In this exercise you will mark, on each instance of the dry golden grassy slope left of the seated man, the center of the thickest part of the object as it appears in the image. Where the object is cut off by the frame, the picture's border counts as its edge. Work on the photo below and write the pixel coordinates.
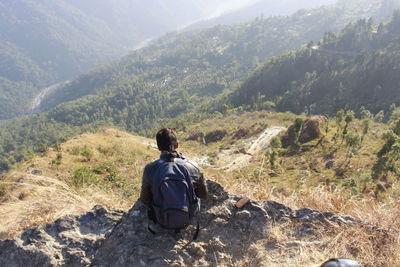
(36, 199)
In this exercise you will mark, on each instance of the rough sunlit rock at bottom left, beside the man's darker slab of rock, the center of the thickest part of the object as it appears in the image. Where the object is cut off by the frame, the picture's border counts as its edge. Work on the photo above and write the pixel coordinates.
(71, 240)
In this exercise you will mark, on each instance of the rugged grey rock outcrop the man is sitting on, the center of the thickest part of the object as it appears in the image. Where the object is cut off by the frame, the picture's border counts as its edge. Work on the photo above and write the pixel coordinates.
(111, 238)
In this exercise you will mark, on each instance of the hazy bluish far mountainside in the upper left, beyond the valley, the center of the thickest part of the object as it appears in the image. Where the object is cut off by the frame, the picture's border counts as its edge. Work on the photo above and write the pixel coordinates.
(48, 41)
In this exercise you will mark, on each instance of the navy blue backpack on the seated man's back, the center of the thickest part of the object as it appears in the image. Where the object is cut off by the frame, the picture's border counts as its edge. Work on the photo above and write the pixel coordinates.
(174, 200)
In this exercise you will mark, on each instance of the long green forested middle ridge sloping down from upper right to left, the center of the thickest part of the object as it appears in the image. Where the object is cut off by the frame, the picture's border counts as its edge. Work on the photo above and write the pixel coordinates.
(180, 73)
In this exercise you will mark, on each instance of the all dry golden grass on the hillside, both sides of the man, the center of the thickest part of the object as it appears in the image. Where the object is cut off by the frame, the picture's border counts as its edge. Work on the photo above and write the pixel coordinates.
(105, 168)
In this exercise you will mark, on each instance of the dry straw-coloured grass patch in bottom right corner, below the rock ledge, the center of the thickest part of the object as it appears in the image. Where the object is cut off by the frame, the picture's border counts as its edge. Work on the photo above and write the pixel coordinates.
(283, 248)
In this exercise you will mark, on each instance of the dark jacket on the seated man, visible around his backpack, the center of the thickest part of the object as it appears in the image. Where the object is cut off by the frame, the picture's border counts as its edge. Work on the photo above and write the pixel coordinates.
(150, 170)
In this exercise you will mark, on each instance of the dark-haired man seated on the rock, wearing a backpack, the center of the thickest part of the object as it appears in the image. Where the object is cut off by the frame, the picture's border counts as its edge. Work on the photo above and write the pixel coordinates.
(171, 185)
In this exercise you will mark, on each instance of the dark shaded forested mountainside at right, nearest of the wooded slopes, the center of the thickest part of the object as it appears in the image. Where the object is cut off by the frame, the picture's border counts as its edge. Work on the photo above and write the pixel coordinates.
(360, 67)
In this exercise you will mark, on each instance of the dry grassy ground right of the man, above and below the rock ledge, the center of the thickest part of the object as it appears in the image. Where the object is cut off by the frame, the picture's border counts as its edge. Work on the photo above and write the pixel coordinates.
(302, 180)
